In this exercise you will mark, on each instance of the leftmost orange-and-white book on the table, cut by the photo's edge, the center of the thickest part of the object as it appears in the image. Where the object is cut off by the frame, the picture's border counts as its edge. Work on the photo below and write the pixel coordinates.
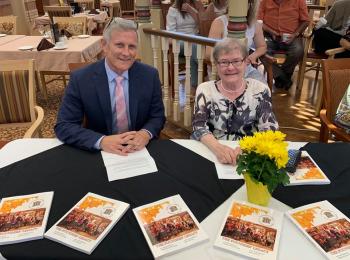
(24, 218)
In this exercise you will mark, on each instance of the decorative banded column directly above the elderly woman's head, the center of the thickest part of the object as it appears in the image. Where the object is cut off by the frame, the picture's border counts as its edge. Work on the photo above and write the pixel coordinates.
(237, 24)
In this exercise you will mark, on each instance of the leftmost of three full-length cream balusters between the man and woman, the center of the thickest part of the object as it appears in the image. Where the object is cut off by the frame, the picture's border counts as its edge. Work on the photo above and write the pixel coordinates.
(166, 94)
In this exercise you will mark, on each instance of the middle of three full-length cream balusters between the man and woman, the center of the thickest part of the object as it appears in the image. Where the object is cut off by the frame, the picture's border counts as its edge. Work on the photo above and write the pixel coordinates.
(176, 105)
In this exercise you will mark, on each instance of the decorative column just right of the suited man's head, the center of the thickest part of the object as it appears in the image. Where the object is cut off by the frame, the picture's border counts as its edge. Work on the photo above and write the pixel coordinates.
(143, 18)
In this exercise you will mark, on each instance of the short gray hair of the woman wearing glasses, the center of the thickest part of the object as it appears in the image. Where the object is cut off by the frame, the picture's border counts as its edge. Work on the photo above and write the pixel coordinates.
(228, 45)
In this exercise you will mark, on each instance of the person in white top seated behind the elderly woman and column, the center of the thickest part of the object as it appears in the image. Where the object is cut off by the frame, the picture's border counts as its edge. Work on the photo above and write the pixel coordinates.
(254, 36)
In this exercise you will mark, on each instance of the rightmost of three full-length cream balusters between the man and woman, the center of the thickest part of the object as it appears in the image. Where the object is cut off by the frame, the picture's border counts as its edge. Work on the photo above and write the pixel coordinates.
(187, 110)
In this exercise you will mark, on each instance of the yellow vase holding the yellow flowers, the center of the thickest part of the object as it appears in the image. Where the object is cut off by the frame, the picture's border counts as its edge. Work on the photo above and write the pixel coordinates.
(257, 193)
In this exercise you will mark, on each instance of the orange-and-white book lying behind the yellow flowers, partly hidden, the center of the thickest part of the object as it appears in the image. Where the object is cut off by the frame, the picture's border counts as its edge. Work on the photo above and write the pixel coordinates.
(307, 172)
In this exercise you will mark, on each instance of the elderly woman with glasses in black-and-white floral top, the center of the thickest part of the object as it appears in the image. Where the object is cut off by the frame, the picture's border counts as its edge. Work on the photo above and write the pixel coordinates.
(231, 107)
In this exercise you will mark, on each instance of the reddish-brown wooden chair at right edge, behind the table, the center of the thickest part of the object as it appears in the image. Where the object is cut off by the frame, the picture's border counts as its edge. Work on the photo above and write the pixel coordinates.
(336, 79)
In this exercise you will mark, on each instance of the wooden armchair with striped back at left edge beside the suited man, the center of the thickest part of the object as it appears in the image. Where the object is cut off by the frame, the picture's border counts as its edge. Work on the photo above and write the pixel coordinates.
(17, 101)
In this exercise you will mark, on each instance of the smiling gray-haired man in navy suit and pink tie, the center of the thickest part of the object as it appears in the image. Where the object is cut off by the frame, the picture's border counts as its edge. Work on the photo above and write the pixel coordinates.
(91, 95)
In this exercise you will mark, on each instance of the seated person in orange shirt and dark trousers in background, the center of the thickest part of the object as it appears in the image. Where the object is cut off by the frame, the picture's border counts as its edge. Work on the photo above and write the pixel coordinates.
(284, 22)
